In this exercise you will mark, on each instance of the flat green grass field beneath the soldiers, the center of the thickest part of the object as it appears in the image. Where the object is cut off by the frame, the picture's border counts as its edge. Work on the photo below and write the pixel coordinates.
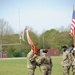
(19, 67)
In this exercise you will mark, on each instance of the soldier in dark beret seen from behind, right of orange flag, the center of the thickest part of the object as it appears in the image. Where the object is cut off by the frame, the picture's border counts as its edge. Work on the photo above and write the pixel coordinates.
(45, 63)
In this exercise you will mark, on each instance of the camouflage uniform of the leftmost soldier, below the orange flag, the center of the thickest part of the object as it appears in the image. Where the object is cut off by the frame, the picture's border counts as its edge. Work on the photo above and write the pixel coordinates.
(31, 64)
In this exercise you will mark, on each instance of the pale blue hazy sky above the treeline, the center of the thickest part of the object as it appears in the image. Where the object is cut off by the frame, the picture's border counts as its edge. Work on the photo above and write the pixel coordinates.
(40, 15)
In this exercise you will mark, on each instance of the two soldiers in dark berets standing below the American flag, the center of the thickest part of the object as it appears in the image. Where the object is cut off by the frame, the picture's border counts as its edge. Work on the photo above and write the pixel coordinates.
(68, 60)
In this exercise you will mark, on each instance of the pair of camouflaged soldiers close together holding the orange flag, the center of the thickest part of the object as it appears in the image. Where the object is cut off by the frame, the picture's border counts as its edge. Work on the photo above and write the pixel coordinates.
(44, 62)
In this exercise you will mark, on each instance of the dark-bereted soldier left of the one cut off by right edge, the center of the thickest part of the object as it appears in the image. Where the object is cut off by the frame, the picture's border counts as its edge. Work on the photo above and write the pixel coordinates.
(65, 61)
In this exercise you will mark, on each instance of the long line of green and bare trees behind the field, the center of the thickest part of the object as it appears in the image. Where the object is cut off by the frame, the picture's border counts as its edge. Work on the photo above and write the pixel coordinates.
(49, 39)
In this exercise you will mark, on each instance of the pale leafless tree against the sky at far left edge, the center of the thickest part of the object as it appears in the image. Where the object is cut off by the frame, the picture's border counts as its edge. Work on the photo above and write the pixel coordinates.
(5, 31)
